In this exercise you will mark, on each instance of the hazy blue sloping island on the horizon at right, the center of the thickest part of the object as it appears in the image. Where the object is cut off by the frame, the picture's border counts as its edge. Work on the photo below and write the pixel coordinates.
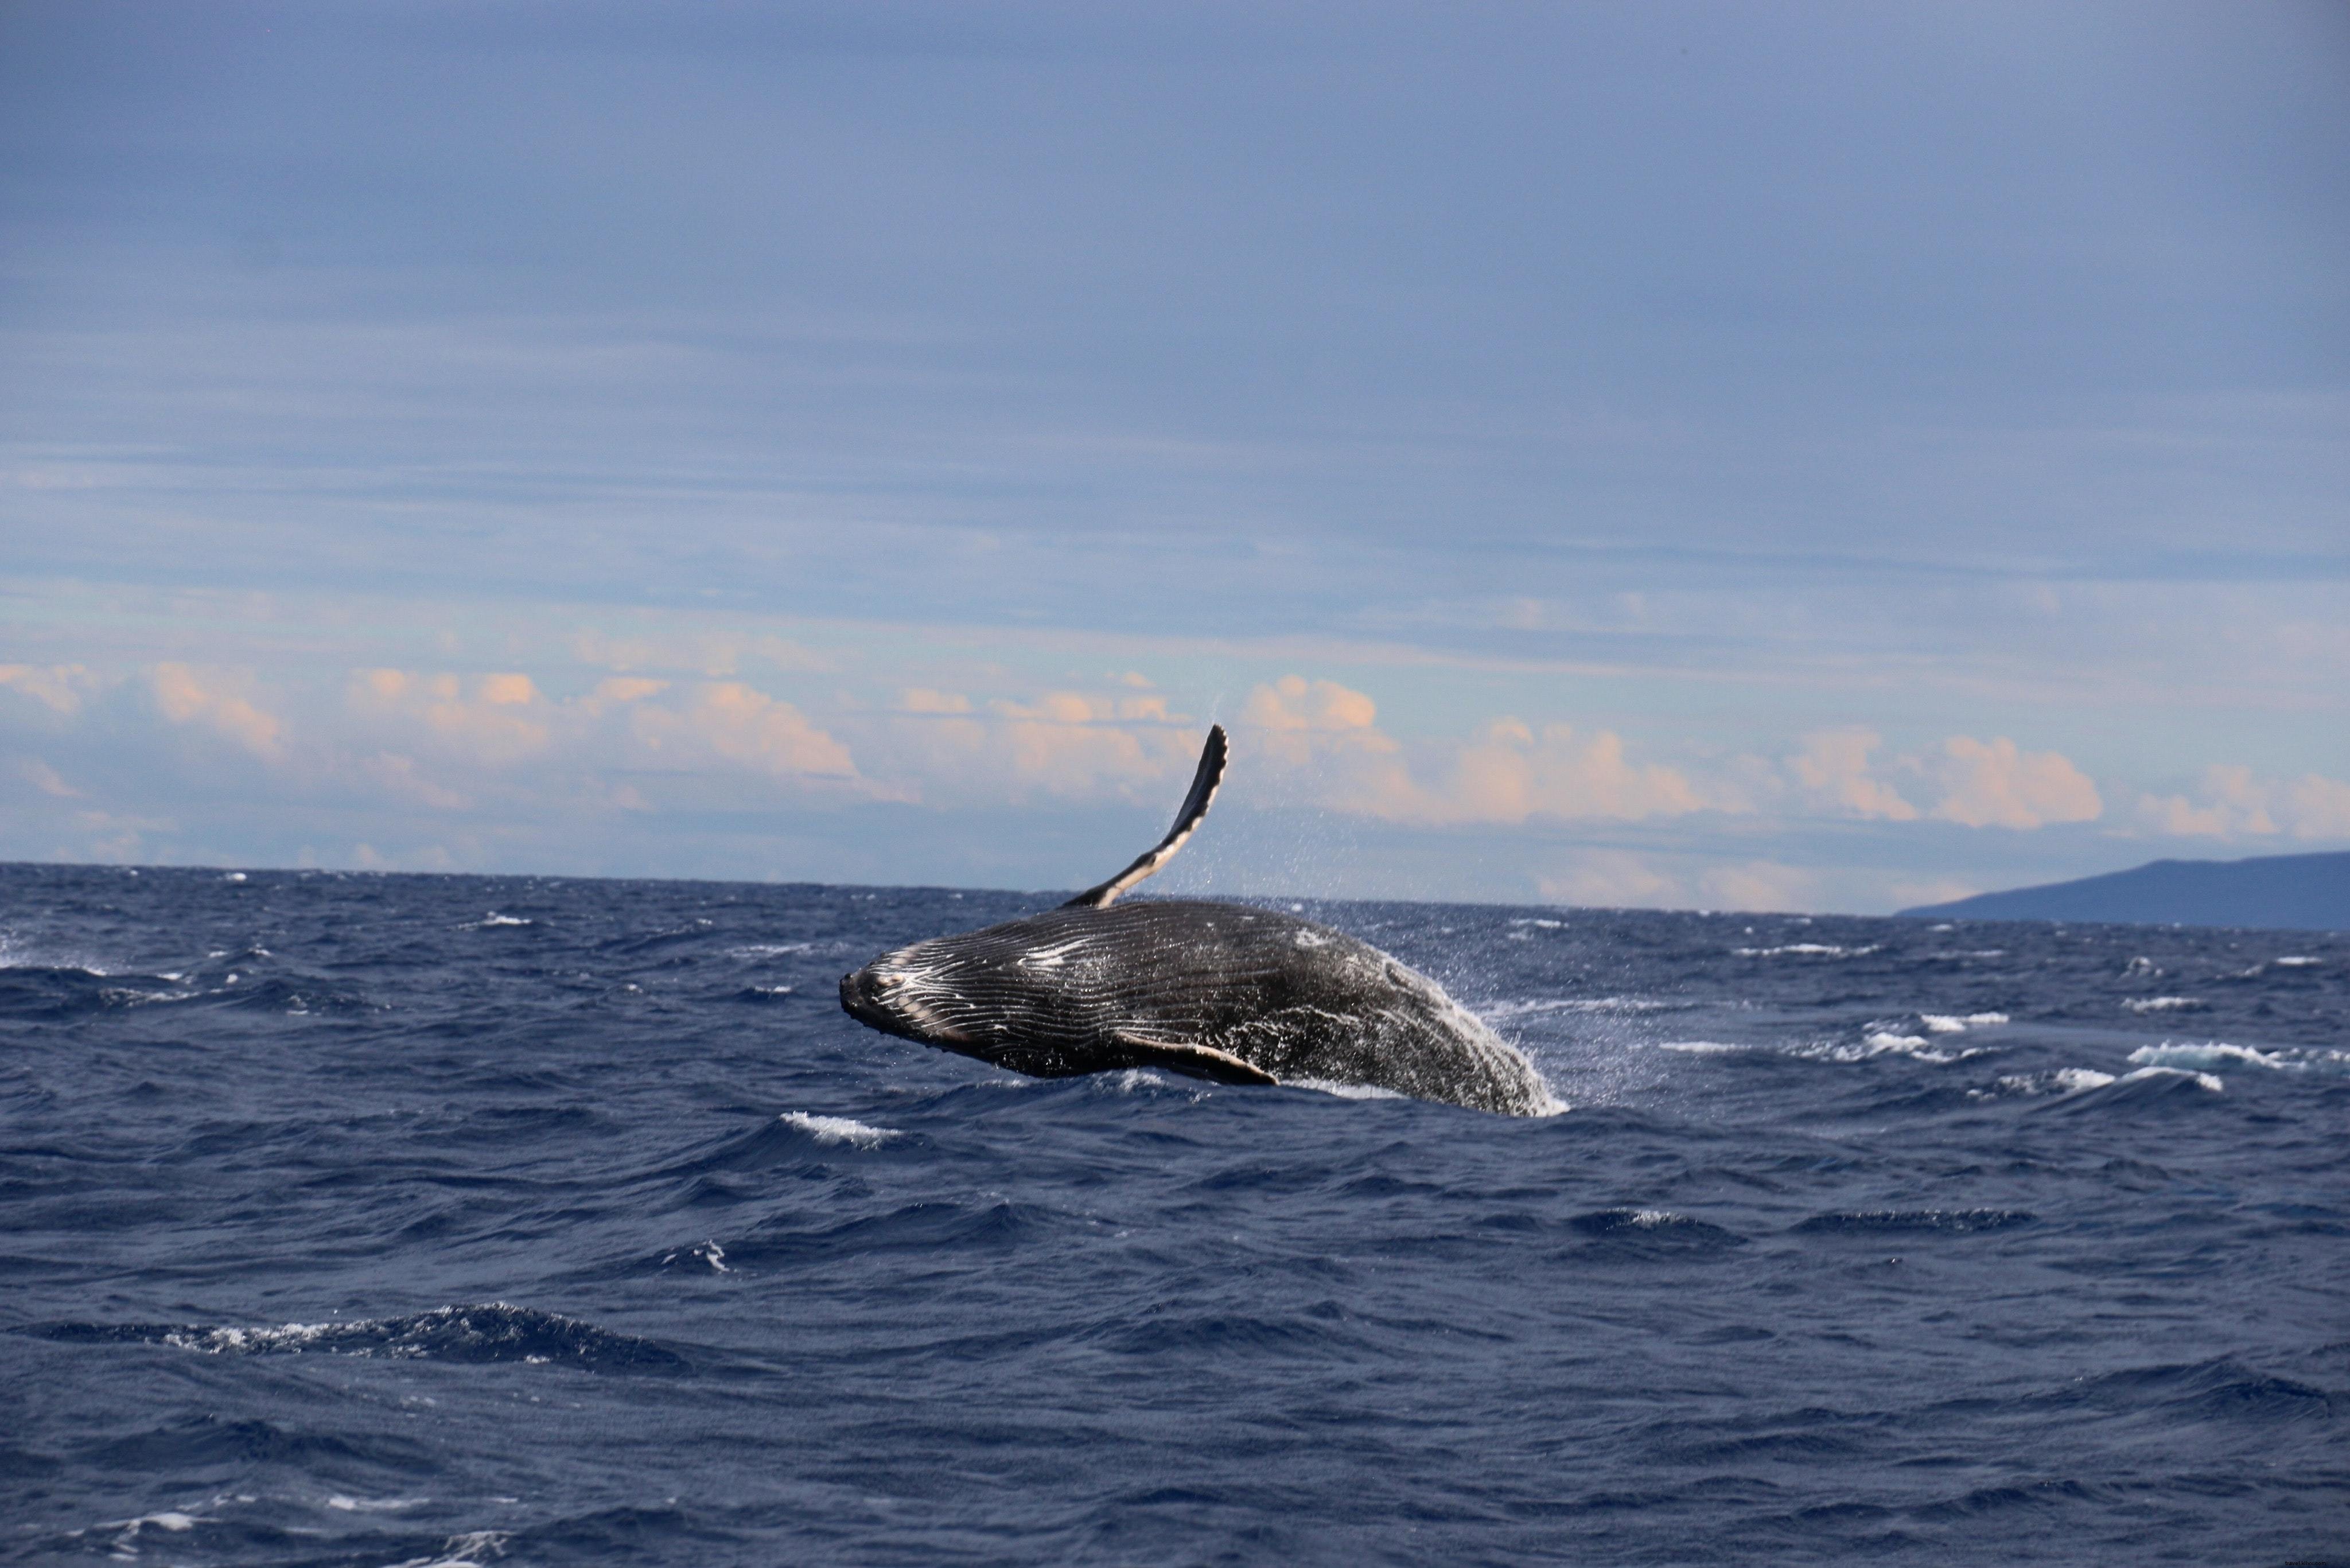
(2281, 892)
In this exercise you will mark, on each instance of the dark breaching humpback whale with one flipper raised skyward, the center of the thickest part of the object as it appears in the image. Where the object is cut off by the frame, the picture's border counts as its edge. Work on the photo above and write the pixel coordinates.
(1216, 991)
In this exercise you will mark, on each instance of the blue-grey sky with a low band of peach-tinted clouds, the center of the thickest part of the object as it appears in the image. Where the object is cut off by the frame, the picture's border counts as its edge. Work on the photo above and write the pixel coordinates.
(1806, 457)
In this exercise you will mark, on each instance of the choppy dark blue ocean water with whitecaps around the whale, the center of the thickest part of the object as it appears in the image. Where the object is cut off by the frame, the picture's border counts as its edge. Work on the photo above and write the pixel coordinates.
(464, 1221)
